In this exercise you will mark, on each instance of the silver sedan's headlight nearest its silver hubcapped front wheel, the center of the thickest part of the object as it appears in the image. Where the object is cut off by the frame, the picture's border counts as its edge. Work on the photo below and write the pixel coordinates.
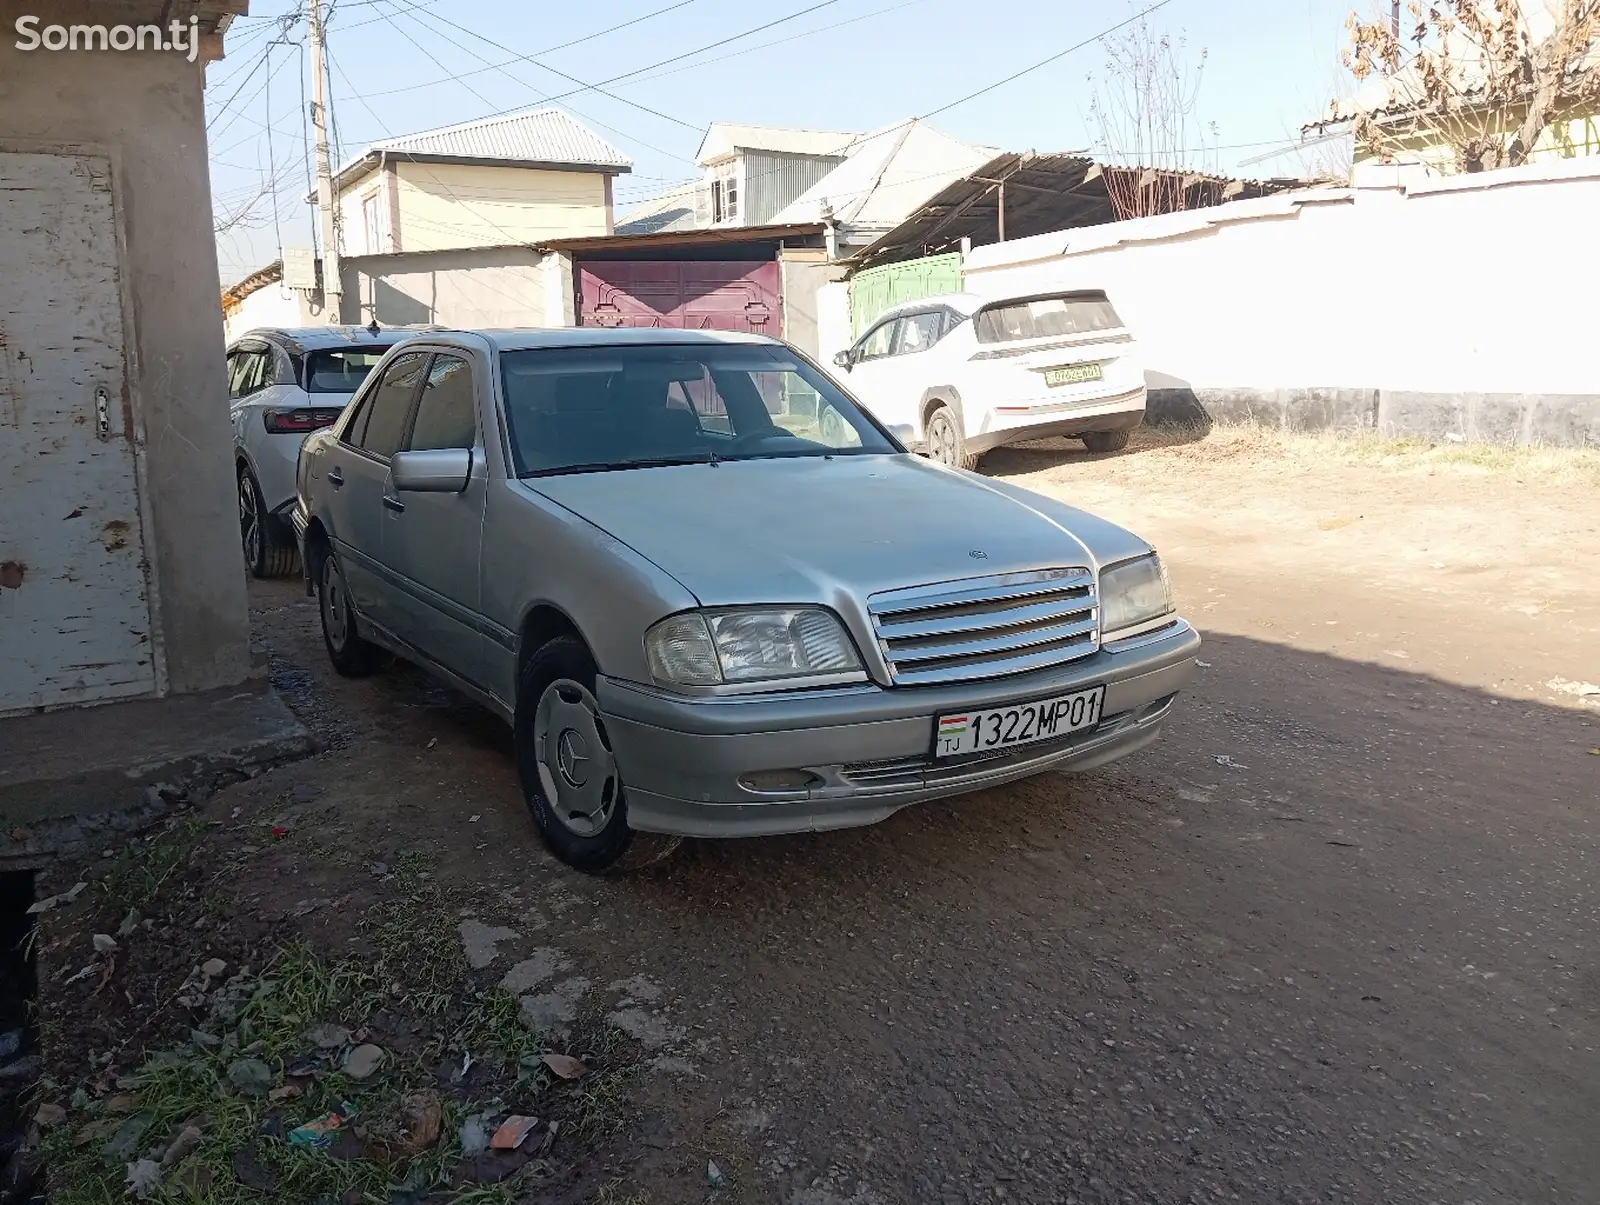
(714, 649)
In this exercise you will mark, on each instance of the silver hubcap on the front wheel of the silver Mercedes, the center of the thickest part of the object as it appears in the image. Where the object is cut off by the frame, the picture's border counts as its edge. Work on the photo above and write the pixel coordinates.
(577, 767)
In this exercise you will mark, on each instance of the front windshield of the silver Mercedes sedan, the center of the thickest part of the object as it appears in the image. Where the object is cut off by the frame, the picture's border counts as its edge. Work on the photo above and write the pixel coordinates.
(594, 409)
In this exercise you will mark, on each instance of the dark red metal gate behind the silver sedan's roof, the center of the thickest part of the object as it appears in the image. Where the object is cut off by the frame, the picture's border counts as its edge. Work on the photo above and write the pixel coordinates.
(698, 297)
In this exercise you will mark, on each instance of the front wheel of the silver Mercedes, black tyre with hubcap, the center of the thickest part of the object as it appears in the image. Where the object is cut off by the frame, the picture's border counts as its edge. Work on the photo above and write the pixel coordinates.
(569, 771)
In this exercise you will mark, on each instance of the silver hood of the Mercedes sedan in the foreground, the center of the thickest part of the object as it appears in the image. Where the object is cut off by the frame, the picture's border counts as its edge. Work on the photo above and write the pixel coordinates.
(831, 530)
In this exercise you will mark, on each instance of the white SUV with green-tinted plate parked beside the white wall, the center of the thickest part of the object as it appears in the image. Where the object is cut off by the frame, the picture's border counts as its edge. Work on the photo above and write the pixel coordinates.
(958, 375)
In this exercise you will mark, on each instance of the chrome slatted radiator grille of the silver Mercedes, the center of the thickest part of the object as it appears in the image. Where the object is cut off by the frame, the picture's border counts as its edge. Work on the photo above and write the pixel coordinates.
(983, 628)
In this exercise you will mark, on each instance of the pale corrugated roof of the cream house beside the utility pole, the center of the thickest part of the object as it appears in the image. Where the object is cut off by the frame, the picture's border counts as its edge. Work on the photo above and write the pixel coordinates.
(545, 137)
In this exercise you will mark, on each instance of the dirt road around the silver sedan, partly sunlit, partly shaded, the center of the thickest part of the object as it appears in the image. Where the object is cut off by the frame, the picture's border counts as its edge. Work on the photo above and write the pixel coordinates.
(1330, 940)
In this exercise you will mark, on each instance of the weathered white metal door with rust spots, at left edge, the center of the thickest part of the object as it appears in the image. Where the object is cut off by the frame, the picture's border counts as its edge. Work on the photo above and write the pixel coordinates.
(74, 601)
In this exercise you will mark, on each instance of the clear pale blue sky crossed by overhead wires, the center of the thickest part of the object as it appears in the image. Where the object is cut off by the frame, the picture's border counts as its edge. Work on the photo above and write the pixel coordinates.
(1271, 65)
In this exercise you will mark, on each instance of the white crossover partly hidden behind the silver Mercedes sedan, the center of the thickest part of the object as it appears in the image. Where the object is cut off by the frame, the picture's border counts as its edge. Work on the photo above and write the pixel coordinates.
(282, 385)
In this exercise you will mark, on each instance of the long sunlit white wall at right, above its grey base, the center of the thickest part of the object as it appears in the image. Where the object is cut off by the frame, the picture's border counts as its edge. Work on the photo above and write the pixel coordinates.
(1450, 289)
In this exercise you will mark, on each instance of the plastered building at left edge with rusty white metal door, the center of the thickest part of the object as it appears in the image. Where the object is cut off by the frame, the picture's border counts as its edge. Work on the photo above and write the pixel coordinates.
(121, 572)
